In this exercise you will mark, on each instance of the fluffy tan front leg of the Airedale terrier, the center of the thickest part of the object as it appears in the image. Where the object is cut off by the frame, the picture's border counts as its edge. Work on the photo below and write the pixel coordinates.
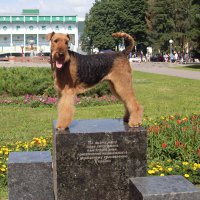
(65, 110)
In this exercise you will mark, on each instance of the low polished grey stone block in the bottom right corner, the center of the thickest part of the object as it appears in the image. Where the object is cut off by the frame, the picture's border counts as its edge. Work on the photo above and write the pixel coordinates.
(171, 187)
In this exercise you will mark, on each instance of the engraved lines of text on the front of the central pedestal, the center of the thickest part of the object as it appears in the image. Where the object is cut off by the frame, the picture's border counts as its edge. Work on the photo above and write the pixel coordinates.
(102, 152)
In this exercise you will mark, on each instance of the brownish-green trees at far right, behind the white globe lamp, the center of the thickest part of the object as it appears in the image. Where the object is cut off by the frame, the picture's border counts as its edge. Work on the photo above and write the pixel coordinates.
(173, 19)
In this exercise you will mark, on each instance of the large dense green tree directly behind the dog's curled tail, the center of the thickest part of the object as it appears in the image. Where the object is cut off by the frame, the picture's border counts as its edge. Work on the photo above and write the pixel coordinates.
(109, 16)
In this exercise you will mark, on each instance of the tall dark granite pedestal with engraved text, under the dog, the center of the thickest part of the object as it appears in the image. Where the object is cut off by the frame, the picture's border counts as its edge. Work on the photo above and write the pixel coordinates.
(94, 159)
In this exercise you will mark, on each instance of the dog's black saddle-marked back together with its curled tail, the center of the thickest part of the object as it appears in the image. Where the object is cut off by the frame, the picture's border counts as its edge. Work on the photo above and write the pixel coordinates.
(93, 68)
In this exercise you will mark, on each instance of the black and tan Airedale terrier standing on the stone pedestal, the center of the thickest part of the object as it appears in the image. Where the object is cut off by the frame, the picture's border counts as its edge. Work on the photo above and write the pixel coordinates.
(75, 73)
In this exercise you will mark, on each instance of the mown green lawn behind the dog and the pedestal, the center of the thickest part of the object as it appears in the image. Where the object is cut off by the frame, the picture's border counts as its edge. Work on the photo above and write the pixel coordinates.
(159, 94)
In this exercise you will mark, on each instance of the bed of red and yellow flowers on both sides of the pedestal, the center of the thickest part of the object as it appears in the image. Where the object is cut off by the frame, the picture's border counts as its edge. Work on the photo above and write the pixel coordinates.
(173, 147)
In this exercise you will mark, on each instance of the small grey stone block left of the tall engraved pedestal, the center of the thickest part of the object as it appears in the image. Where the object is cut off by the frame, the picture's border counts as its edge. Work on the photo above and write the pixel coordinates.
(30, 176)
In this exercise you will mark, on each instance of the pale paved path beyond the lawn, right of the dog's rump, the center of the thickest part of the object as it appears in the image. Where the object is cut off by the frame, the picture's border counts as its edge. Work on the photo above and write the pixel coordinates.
(166, 69)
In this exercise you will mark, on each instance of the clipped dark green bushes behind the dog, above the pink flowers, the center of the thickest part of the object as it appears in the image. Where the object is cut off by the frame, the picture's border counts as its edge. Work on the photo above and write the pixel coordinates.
(17, 81)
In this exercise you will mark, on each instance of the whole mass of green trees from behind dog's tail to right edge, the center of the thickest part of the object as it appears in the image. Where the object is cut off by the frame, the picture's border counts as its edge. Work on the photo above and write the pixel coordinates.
(150, 22)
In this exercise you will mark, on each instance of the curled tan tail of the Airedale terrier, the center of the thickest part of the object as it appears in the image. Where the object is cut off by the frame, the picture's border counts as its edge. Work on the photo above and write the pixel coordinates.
(130, 40)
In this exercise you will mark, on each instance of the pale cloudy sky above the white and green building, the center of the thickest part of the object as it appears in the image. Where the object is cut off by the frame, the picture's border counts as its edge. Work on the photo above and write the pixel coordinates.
(47, 7)
